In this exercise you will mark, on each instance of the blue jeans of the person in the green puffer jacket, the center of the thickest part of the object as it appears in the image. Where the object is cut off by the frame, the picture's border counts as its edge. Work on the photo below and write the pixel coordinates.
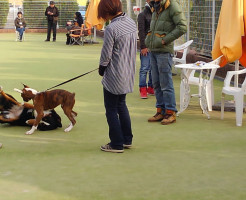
(161, 69)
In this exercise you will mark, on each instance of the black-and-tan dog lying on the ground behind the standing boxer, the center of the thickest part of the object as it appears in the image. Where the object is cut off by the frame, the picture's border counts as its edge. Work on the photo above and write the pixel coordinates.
(14, 113)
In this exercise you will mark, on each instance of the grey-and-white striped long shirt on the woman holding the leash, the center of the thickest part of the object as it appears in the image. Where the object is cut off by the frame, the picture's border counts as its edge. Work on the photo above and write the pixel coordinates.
(119, 55)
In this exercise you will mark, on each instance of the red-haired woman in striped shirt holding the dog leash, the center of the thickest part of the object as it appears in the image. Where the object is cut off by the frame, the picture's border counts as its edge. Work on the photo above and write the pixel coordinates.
(117, 66)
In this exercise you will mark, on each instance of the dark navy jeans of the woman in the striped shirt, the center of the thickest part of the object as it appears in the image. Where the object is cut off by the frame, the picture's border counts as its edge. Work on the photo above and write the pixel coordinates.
(118, 118)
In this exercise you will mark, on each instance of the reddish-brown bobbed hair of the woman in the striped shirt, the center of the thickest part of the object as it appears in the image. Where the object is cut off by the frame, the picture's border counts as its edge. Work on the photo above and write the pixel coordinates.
(108, 8)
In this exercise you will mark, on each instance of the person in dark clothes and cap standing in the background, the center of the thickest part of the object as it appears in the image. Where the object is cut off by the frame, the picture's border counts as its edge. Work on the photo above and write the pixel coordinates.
(52, 14)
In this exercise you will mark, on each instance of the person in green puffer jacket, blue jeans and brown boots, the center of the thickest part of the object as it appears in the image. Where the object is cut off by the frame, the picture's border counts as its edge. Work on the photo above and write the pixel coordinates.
(167, 24)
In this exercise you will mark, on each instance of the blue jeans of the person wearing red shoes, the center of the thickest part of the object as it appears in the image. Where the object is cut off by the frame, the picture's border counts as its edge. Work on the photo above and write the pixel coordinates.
(144, 70)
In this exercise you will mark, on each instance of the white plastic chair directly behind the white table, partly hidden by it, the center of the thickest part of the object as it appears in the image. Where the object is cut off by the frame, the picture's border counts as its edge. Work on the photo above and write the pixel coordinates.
(209, 83)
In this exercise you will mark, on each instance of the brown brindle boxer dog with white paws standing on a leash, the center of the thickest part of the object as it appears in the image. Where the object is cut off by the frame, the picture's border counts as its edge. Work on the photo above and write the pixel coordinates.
(49, 100)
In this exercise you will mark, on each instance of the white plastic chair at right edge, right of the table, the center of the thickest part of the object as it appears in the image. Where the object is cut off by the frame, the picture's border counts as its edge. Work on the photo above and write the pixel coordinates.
(238, 94)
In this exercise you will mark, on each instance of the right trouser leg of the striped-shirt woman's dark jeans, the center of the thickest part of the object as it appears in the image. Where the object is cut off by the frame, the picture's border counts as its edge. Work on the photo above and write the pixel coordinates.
(125, 120)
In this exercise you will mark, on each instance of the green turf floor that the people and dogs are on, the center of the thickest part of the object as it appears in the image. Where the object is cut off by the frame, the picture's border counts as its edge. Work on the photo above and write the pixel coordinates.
(193, 159)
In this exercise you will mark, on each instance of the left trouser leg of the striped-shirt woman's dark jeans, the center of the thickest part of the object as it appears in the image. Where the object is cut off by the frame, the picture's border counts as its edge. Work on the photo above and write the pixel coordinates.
(115, 132)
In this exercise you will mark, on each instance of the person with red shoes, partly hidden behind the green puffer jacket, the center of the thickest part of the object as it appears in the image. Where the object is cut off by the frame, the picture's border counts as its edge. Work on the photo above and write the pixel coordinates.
(144, 19)
